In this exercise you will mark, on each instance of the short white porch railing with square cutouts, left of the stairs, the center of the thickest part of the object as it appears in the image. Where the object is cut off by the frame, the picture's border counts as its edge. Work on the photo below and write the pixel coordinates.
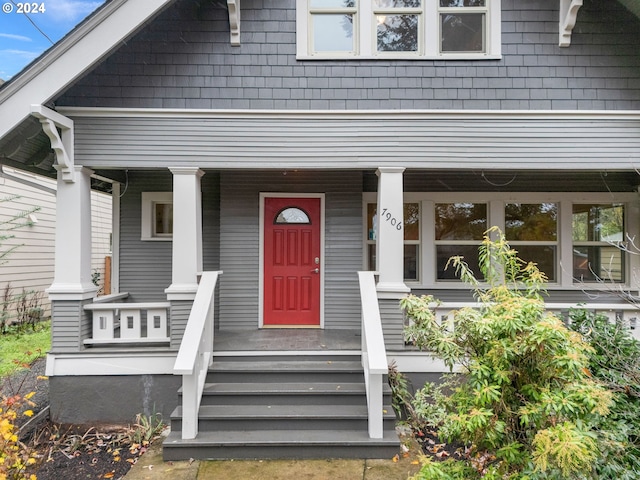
(127, 323)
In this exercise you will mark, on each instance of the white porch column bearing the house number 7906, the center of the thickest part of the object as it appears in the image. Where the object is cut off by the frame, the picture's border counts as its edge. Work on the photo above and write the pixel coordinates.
(390, 234)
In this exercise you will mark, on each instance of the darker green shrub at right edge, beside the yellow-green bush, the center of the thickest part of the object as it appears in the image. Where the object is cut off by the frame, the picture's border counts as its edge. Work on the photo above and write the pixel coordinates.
(615, 361)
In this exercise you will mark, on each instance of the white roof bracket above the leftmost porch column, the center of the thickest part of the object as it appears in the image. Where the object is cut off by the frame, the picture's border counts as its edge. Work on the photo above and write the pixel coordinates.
(61, 142)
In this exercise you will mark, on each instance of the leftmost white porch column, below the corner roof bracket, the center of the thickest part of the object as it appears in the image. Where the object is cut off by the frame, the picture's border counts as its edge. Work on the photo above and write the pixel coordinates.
(72, 276)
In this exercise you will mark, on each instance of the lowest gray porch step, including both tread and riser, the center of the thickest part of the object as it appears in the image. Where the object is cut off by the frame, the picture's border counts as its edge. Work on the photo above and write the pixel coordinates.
(282, 444)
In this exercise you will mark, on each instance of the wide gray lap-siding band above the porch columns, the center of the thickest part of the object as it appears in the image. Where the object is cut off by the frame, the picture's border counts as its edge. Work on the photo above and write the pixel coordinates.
(414, 140)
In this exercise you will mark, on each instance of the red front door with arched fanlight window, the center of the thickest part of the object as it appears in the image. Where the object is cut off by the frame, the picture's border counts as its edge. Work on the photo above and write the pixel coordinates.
(292, 262)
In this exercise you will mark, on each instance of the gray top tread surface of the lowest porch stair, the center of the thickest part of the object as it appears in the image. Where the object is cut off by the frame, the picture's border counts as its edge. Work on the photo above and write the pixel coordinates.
(284, 437)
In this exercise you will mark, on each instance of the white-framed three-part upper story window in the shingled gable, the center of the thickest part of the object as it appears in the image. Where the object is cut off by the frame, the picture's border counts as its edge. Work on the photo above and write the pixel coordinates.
(451, 29)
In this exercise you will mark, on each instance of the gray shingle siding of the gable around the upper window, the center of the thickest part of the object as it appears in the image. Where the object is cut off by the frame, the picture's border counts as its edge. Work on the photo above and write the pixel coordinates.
(184, 60)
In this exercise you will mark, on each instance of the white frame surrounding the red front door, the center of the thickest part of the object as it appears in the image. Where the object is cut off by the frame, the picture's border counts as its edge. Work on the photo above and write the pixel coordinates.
(264, 195)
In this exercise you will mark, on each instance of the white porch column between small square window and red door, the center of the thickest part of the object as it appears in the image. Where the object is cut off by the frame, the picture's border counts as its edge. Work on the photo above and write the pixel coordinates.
(187, 233)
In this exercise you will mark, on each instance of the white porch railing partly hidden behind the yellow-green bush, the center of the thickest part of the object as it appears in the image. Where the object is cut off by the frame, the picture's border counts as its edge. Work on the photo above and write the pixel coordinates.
(623, 313)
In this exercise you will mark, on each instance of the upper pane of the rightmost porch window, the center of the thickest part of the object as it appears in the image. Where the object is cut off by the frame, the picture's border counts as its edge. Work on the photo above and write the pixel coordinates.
(598, 223)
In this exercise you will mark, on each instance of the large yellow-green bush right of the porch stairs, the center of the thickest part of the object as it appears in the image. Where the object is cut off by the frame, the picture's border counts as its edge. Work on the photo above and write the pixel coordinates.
(526, 405)
